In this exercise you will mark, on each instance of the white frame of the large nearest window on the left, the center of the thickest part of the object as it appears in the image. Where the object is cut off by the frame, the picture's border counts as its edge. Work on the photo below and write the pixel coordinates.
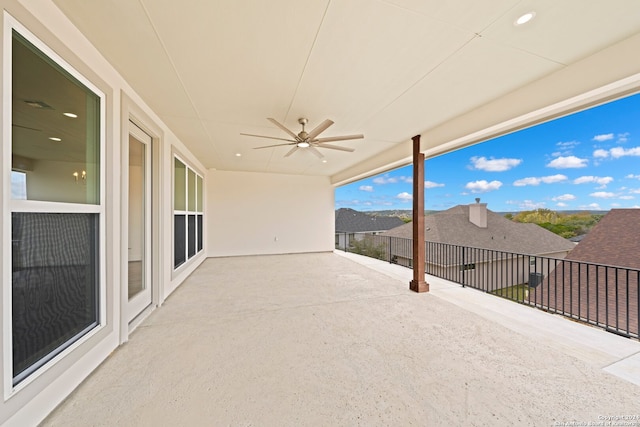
(36, 206)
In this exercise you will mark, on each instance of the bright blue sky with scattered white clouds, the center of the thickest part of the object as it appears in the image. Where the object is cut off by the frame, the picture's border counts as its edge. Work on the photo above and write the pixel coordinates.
(586, 161)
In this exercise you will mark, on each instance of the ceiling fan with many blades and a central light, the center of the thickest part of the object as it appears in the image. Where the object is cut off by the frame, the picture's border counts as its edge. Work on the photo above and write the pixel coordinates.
(306, 140)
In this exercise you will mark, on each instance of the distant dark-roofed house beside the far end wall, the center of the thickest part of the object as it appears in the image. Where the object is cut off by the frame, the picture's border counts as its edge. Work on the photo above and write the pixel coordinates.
(352, 225)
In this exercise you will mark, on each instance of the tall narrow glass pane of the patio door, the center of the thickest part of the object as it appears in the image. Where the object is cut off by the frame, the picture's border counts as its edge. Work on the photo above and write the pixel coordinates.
(137, 198)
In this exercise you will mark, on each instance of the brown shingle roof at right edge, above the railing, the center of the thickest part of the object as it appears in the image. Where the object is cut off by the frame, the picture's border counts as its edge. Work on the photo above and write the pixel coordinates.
(615, 240)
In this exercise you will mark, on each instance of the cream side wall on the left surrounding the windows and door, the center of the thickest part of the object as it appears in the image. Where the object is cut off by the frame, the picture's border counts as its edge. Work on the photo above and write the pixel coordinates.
(31, 400)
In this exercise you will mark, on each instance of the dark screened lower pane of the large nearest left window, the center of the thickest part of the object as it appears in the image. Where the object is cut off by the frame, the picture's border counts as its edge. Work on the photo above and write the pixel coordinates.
(54, 284)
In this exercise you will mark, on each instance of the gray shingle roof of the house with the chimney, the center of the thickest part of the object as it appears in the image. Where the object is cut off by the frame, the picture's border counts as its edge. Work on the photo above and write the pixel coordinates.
(453, 227)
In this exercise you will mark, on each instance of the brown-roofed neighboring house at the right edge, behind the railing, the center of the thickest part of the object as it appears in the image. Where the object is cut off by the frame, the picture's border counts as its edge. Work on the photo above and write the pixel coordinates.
(599, 279)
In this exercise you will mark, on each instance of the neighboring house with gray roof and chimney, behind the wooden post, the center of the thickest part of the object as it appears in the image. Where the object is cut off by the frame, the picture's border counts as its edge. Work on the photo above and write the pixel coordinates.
(470, 243)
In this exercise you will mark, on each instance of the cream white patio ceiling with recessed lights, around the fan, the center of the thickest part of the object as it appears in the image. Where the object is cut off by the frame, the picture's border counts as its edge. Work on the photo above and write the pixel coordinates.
(388, 69)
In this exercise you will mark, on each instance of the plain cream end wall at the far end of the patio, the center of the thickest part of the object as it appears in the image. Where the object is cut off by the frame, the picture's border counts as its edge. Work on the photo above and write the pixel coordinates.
(261, 213)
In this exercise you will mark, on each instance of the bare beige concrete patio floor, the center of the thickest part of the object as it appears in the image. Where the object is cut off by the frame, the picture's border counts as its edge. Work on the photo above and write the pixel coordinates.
(338, 340)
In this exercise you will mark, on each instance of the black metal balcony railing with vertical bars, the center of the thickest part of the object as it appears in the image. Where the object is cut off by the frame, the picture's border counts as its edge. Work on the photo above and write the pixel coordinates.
(602, 295)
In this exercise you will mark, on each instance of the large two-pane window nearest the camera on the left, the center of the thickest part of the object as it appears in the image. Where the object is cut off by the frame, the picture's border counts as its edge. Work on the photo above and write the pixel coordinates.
(56, 206)
